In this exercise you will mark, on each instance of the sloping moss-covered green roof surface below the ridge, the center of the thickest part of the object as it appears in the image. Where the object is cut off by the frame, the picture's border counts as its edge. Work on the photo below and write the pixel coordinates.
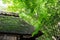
(14, 25)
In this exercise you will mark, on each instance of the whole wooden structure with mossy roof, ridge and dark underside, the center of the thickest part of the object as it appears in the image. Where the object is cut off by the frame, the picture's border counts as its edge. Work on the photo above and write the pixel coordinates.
(14, 27)
